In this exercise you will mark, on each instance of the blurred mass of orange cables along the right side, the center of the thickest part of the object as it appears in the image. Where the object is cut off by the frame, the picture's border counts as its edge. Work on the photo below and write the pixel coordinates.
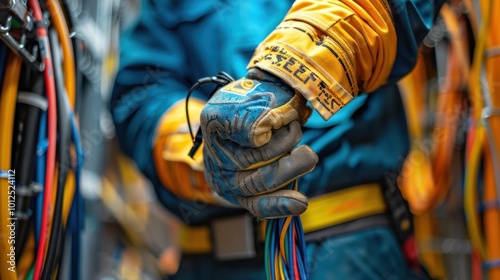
(459, 142)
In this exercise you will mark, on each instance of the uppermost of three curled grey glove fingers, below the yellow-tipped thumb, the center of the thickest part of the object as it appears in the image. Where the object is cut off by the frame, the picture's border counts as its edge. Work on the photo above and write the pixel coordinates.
(240, 158)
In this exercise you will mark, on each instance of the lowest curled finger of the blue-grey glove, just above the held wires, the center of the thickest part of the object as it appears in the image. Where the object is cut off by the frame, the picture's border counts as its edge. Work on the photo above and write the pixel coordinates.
(277, 204)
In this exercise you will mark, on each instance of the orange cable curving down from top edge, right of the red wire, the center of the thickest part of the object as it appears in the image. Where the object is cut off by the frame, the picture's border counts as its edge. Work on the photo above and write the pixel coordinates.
(67, 47)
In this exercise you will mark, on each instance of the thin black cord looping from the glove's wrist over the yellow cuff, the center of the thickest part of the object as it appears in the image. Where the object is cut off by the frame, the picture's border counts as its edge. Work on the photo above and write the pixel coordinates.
(219, 80)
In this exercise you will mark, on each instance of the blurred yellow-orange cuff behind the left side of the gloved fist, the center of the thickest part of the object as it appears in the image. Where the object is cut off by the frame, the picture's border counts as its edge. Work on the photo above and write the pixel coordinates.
(179, 173)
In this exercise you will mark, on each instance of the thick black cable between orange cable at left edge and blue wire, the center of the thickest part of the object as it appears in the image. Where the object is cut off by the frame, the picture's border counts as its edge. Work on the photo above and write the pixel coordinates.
(26, 130)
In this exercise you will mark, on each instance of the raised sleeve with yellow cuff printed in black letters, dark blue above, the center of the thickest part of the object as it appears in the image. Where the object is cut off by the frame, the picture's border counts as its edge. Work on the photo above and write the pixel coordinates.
(330, 51)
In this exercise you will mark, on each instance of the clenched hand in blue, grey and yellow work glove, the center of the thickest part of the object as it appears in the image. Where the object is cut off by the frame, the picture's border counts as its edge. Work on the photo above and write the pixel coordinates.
(250, 128)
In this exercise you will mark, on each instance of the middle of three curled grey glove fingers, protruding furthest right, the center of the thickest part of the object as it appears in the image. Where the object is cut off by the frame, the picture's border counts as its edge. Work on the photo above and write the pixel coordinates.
(298, 162)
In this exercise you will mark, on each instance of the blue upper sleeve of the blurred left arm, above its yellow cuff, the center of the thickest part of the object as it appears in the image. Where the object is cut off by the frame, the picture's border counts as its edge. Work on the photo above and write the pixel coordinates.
(147, 84)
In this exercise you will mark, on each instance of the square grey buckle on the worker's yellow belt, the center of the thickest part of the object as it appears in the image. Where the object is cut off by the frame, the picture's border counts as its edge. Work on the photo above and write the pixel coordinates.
(234, 238)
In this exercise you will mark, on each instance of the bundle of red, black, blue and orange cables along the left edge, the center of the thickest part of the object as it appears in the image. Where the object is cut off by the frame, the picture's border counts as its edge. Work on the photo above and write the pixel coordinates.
(40, 140)
